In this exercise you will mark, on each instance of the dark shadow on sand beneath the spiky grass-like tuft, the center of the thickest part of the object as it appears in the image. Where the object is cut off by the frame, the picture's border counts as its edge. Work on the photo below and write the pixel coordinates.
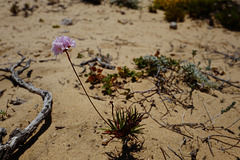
(127, 151)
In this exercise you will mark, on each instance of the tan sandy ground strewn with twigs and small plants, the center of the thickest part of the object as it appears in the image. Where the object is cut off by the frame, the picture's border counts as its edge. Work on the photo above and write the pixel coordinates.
(124, 34)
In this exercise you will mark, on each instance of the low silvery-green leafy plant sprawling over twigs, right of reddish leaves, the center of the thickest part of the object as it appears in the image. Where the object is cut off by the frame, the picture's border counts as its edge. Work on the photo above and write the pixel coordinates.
(191, 74)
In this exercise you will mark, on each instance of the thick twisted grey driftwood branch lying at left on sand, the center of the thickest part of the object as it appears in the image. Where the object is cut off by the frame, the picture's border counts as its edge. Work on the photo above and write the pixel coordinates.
(20, 136)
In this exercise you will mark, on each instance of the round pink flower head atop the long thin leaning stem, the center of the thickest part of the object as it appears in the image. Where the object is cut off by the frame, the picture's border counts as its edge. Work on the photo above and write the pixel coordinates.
(62, 44)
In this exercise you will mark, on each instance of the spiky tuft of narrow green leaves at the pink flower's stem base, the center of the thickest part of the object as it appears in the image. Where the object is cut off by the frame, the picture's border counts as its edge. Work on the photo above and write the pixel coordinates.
(125, 124)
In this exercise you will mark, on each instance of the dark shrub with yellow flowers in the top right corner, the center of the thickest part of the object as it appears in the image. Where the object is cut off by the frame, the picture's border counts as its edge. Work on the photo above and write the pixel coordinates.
(227, 12)
